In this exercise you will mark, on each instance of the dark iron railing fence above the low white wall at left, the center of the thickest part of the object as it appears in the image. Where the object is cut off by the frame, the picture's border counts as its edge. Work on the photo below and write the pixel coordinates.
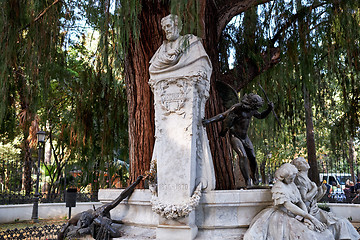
(52, 190)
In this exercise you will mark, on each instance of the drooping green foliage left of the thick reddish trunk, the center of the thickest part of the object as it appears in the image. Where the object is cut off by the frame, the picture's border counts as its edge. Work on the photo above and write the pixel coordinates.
(49, 79)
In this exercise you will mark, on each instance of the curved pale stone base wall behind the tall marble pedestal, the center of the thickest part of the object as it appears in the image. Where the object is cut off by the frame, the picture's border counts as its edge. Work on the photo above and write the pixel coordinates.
(221, 214)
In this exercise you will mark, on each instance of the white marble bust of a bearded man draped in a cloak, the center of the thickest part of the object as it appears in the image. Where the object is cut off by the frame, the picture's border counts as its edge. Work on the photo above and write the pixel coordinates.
(178, 55)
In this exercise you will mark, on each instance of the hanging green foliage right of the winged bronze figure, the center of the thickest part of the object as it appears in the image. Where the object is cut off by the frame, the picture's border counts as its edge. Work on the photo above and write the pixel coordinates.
(312, 53)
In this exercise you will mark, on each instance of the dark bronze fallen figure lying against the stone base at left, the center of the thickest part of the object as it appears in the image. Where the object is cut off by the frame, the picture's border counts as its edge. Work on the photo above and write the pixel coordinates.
(96, 222)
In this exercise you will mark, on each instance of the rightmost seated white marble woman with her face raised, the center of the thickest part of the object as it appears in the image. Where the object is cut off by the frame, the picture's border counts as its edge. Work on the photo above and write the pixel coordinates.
(341, 228)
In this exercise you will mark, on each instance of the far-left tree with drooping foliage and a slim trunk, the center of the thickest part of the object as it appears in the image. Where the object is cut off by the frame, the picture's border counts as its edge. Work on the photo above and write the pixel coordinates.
(28, 41)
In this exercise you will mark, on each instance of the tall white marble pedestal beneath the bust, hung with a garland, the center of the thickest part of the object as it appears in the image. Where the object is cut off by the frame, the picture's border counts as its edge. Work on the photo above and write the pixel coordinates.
(181, 152)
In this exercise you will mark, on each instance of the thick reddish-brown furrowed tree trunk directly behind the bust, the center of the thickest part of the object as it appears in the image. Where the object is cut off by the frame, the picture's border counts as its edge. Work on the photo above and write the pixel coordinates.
(214, 15)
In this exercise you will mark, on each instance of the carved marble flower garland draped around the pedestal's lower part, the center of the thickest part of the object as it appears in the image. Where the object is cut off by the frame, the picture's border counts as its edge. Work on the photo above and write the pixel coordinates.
(172, 211)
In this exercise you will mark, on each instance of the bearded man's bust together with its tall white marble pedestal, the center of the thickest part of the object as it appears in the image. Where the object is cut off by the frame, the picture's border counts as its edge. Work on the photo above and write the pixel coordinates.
(180, 73)
